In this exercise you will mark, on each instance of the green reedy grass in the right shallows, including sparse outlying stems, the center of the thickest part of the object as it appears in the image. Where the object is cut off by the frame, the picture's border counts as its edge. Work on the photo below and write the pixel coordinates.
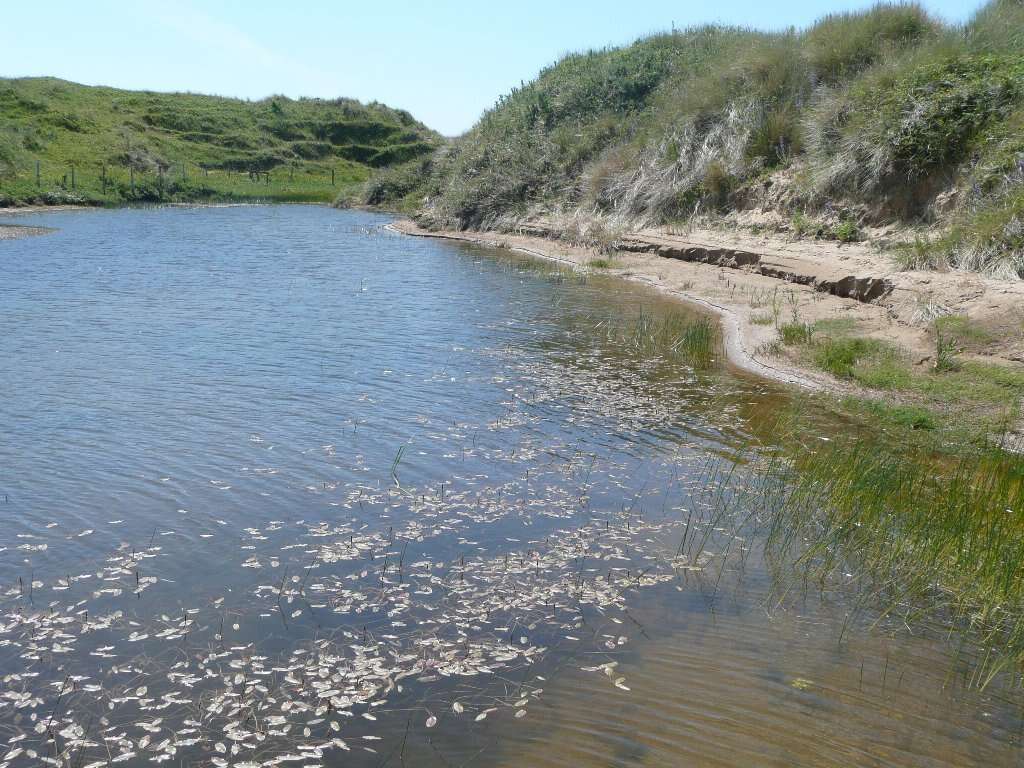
(903, 537)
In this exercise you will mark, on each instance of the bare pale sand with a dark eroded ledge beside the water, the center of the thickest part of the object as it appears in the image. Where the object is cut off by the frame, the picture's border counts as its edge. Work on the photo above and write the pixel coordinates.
(749, 281)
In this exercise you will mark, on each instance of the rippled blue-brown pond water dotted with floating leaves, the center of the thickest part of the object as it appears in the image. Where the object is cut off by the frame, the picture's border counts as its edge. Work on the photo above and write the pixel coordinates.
(267, 472)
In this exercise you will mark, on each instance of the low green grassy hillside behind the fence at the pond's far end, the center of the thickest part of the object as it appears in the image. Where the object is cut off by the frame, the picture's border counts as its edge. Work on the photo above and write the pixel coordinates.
(92, 143)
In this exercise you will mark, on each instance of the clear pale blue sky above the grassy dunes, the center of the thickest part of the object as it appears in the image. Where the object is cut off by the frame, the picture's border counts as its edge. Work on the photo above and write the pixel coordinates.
(445, 61)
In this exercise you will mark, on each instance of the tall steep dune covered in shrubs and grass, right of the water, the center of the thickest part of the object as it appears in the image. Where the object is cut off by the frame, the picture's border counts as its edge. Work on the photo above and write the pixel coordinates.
(882, 116)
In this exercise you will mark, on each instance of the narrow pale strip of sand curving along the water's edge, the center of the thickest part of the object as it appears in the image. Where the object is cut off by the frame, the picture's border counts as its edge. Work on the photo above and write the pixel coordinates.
(740, 337)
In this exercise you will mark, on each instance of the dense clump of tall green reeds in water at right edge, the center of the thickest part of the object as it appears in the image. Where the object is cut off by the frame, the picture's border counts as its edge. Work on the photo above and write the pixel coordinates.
(917, 540)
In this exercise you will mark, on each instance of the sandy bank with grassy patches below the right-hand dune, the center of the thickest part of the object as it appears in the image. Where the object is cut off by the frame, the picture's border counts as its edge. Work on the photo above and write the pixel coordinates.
(763, 286)
